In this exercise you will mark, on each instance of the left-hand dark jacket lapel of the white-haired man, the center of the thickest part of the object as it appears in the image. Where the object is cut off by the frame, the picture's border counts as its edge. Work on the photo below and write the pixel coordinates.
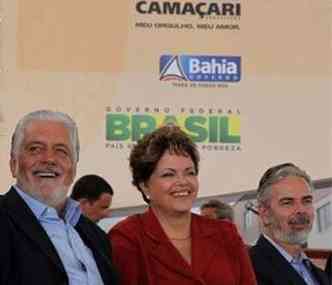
(23, 217)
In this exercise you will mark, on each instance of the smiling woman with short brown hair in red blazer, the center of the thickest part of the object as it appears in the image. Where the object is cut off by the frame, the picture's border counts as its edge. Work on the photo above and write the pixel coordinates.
(168, 244)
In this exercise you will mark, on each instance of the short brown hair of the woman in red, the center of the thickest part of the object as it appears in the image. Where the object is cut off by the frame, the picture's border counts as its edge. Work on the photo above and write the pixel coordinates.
(146, 154)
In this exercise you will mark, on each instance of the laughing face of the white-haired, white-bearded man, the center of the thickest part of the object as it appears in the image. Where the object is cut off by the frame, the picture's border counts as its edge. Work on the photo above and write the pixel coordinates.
(44, 166)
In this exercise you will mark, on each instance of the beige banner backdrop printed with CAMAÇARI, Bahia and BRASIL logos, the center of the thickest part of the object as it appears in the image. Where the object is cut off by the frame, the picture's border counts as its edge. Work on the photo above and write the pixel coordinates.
(250, 81)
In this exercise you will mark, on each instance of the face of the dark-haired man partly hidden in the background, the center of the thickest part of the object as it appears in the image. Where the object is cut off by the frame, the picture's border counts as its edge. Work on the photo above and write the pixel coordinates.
(98, 209)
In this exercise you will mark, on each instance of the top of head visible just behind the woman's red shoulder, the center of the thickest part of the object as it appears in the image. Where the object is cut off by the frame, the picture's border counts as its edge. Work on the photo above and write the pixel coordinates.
(216, 209)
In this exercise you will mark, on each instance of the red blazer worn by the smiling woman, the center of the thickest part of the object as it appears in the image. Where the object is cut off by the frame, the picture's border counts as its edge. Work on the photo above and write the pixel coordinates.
(145, 256)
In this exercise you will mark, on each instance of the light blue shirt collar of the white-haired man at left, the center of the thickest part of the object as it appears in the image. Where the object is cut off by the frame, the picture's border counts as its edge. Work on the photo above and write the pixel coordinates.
(72, 211)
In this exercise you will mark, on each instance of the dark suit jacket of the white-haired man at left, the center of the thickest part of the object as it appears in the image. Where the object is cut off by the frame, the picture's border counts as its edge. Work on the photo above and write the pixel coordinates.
(27, 255)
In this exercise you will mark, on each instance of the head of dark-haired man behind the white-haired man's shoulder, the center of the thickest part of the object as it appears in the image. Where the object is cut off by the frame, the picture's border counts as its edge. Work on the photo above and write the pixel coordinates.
(95, 195)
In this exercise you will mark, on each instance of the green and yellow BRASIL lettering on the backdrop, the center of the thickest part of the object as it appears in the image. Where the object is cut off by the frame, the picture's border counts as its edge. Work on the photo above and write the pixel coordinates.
(127, 127)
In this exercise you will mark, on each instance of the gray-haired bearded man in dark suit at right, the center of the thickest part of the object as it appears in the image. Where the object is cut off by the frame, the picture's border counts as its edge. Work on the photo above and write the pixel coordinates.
(286, 212)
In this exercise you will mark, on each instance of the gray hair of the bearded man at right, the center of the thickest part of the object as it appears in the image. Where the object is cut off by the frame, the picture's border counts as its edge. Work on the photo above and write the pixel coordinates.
(275, 174)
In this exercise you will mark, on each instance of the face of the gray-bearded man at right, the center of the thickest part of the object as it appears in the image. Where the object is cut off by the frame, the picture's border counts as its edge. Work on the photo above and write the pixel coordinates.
(289, 216)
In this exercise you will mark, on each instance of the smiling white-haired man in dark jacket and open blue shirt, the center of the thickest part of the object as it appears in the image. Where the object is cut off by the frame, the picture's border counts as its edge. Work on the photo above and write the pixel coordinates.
(44, 238)
